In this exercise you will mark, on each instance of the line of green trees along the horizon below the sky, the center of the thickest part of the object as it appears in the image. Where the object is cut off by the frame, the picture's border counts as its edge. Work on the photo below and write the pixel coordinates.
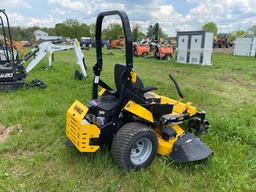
(74, 29)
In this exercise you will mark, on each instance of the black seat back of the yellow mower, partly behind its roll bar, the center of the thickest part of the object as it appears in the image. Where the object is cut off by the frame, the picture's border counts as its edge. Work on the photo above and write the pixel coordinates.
(120, 74)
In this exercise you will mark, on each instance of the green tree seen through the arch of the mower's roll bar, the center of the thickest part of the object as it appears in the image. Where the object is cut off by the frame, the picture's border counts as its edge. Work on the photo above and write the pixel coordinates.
(113, 31)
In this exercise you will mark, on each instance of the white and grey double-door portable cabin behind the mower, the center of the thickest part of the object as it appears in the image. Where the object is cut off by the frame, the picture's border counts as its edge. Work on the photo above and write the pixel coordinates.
(194, 47)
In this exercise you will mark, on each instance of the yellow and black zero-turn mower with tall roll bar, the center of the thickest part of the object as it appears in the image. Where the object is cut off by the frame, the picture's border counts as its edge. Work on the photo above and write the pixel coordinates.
(136, 122)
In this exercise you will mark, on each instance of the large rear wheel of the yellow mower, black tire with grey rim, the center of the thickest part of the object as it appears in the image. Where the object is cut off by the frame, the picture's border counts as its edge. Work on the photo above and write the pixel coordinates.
(134, 146)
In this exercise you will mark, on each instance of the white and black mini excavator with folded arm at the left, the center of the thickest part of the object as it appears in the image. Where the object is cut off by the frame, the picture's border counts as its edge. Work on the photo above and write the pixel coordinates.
(12, 69)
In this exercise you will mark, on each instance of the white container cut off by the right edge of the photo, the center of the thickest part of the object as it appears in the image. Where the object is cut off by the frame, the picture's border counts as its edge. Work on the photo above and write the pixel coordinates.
(245, 46)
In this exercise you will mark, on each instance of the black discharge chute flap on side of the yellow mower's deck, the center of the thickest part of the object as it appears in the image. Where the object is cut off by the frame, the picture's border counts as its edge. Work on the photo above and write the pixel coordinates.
(189, 148)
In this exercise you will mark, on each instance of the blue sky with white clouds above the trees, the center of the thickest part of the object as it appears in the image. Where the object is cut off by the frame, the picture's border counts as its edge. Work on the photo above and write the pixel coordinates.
(172, 15)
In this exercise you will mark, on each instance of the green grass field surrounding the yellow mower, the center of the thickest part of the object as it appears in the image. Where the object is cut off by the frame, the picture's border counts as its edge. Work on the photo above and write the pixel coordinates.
(34, 158)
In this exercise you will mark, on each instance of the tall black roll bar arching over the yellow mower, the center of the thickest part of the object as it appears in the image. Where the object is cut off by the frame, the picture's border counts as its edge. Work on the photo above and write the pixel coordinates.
(128, 46)
